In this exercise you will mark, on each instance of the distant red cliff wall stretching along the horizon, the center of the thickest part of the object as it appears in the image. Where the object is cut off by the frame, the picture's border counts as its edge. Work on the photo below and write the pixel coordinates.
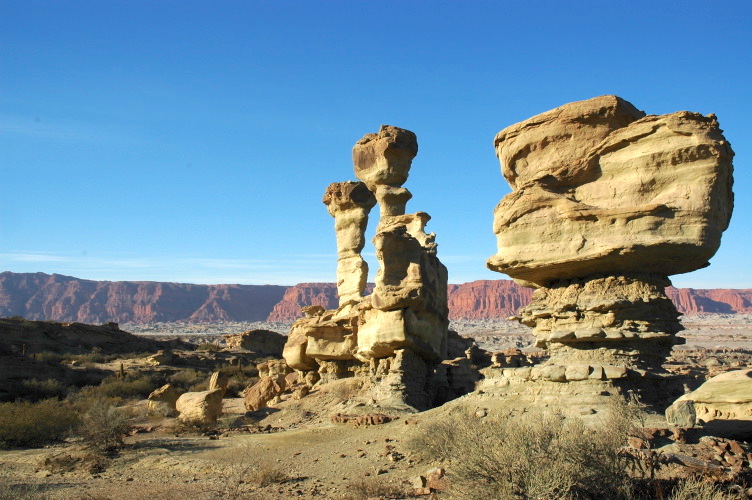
(42, 296)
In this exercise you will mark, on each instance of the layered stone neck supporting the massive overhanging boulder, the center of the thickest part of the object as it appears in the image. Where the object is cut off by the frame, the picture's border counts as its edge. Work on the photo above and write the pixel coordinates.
(623, 312)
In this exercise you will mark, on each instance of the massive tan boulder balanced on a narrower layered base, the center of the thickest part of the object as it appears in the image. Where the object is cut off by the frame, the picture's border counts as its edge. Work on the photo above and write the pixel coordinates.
(653, 196)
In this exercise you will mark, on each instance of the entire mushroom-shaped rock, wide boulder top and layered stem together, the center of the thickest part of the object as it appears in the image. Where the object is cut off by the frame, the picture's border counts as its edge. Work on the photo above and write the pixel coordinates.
(606, 204)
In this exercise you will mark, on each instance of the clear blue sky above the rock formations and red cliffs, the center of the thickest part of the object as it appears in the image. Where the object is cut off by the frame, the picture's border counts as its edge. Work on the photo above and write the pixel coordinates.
(192, 141)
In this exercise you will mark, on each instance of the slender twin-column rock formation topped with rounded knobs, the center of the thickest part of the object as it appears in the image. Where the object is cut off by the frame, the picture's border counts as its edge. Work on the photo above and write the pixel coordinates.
(395, 338)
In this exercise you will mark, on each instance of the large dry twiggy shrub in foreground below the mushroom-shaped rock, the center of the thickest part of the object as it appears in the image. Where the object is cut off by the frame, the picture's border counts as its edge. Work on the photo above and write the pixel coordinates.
(532, 457)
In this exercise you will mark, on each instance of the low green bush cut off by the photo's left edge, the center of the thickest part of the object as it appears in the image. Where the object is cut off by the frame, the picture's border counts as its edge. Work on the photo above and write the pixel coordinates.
(36, 424)
